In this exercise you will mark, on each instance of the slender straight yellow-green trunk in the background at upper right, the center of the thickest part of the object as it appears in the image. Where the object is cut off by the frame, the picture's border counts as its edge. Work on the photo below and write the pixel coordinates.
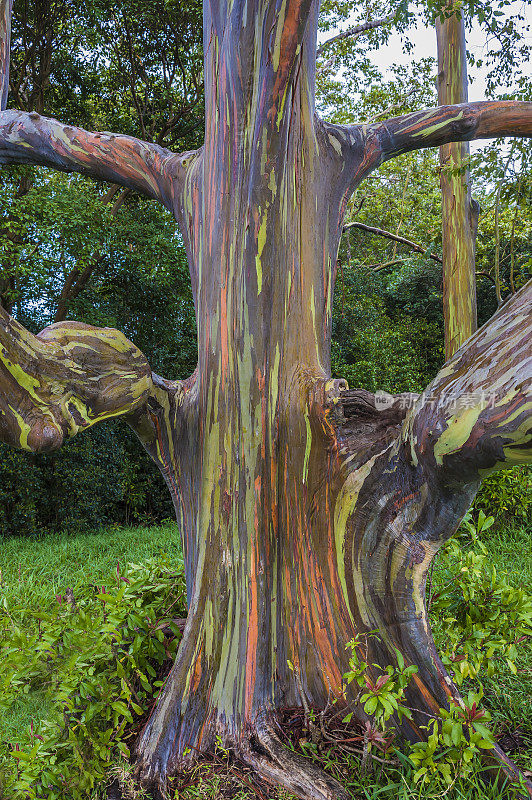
(458, 210)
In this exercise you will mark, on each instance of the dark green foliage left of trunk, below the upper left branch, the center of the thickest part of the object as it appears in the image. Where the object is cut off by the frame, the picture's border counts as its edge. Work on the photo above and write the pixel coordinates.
(141, 287)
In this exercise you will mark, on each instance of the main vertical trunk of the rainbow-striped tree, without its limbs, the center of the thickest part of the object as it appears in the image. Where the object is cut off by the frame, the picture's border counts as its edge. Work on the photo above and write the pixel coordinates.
(256, 469)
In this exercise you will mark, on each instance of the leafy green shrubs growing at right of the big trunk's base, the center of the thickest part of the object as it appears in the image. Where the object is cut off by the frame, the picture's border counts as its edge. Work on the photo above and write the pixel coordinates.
(482, 619)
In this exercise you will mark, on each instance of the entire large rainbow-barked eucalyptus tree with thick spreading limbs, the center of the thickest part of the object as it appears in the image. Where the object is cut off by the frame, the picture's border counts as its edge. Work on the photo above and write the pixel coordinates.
(309, 512)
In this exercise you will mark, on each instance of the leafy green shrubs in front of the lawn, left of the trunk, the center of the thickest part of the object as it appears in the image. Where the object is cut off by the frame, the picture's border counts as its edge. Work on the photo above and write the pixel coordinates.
(99, 658)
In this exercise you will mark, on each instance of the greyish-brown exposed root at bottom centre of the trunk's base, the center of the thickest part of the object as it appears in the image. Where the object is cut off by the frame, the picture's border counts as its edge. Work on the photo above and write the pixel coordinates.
(271, 760)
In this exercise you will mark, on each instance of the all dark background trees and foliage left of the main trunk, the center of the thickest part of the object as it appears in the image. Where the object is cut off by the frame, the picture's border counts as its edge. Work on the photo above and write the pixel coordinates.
(100, 255)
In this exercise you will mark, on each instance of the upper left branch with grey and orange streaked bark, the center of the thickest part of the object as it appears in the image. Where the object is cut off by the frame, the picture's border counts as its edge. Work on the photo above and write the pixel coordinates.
(145, 167)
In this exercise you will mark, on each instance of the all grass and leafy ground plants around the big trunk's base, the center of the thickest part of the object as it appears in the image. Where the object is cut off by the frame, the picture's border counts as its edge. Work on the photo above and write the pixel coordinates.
(69, 603)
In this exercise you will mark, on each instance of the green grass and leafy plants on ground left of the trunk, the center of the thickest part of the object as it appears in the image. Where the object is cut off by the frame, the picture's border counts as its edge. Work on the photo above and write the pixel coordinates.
(86, 643)
